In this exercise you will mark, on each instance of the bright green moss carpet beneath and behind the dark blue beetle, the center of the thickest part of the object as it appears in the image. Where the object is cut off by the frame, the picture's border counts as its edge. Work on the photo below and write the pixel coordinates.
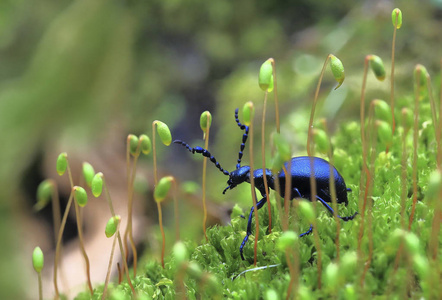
(212, 266)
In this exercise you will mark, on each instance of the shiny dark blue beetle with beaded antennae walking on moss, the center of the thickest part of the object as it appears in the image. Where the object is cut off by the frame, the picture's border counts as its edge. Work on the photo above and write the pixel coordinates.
(300, 172)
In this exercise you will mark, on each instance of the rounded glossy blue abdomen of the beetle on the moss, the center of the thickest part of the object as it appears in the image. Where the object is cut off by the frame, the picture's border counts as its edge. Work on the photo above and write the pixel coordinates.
(300, 173)
